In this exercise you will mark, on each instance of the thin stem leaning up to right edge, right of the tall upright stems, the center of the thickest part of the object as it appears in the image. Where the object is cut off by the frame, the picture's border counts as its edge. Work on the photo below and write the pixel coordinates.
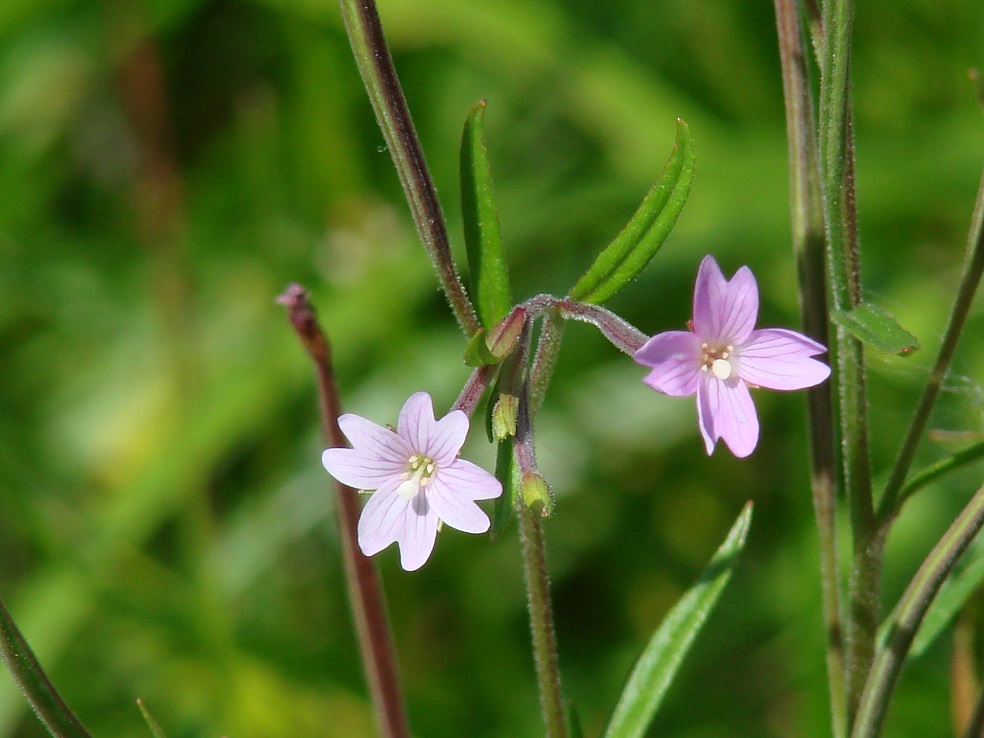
(894, 496)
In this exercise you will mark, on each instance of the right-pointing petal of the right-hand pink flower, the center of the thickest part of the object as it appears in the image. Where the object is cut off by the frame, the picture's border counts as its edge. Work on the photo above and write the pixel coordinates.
(779, 359)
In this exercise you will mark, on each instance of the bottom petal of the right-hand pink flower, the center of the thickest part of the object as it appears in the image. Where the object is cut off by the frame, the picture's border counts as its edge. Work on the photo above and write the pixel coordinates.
(726, 411)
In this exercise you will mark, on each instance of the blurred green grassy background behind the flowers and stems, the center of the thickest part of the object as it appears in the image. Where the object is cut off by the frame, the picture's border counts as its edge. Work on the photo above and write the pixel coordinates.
(166, 528)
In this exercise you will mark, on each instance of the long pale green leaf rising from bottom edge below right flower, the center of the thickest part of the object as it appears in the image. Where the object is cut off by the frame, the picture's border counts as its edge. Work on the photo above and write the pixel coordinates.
(658, 664)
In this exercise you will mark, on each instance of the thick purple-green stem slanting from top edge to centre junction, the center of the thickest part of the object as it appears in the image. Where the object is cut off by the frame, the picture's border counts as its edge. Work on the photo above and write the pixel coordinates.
(379, 75)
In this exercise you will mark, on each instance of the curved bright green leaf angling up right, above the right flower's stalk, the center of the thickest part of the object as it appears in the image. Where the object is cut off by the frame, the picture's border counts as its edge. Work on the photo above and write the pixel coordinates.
(639, 241)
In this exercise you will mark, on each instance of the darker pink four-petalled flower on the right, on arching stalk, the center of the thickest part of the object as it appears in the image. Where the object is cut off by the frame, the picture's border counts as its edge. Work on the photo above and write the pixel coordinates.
(722, 356)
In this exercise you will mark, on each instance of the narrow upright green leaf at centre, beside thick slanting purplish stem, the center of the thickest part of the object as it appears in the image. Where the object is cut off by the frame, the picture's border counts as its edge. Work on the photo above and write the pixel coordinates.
(480, 212)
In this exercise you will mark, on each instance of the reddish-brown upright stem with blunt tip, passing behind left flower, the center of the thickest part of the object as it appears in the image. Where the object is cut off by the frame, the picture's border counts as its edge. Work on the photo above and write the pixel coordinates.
(365, 590)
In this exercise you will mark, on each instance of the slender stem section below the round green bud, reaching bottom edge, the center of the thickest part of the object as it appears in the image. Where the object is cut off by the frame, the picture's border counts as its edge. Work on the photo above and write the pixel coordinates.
(541, 622)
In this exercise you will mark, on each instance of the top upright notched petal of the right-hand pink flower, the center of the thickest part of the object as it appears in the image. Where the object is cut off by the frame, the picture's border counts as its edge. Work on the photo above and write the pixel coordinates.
(724, 311)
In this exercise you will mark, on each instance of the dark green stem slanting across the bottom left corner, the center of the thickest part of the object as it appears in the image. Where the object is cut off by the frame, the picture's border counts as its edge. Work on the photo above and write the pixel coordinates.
(27, 672)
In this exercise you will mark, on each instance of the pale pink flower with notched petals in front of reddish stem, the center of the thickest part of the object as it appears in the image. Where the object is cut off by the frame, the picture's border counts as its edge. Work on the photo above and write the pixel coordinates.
(418, 479)
